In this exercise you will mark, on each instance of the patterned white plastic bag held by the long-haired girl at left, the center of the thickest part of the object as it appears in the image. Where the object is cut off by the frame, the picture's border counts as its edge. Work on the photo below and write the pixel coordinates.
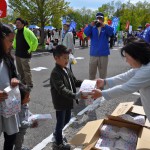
(12, 104)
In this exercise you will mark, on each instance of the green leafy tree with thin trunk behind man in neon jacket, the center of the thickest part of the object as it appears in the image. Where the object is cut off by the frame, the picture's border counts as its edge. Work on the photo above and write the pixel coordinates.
(39, 12)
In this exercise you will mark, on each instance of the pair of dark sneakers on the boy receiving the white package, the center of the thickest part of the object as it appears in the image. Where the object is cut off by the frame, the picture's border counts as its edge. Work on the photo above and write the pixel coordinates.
(63, 146)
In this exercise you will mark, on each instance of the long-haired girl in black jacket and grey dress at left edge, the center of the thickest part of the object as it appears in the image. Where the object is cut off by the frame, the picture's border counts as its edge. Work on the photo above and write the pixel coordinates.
(8, 77)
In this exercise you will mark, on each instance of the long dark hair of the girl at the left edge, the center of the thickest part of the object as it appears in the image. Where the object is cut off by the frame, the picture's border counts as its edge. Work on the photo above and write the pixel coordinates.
(5, 30)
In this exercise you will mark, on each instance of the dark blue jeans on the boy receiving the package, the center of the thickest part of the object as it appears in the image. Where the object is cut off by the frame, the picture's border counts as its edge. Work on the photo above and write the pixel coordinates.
(62, 117)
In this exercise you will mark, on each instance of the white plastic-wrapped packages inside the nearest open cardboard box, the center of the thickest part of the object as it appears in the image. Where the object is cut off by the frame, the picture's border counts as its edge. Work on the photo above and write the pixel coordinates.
(115, 138)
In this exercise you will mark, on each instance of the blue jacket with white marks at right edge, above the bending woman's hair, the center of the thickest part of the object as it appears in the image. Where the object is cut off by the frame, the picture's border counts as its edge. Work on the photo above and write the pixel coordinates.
(145, 35)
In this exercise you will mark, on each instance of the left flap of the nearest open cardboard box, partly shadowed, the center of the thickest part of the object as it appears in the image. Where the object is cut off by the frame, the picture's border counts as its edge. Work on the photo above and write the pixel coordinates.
(86, 134)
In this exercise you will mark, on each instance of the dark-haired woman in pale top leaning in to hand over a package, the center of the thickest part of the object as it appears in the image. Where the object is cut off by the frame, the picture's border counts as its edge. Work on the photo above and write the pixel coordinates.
(137, 55)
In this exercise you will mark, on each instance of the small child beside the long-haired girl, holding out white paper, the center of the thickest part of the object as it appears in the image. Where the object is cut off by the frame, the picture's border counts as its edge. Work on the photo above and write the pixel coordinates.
(24, 114)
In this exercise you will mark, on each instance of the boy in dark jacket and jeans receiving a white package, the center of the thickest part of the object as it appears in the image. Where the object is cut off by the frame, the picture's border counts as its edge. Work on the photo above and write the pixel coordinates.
(63, 91)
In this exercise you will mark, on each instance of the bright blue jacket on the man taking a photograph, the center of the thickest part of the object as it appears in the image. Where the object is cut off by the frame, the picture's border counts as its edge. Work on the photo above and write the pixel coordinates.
(99, 43)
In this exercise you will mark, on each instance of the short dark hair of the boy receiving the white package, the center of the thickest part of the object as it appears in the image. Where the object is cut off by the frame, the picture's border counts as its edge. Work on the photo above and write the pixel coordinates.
(60, 50)
